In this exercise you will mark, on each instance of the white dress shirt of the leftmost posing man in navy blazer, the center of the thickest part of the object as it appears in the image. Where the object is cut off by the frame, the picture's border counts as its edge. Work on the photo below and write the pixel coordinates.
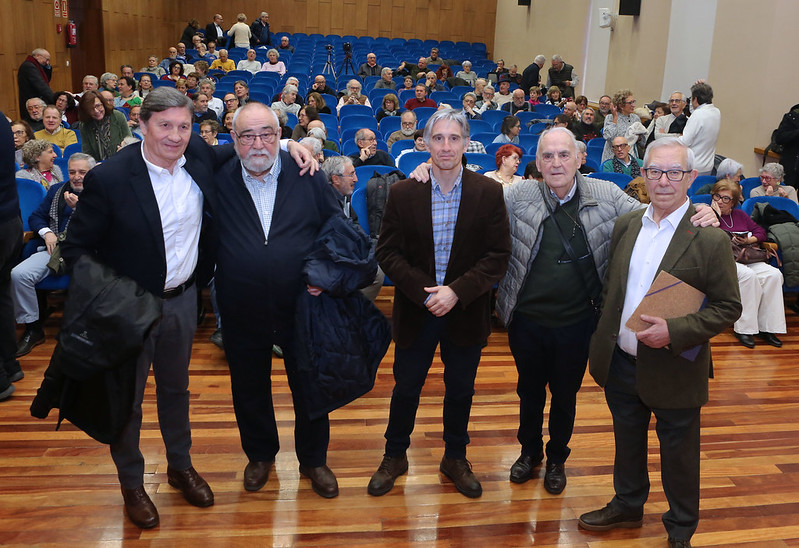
(180, 205)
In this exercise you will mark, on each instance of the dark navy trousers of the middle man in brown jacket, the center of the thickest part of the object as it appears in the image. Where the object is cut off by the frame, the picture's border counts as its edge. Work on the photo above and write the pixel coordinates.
(410, 371)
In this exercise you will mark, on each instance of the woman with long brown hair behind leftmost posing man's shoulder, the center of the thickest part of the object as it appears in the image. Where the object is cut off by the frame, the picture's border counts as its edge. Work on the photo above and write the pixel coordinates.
(102, 128)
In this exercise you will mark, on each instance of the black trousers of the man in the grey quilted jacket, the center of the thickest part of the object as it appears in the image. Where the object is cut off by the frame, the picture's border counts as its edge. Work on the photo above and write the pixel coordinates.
(553, 356)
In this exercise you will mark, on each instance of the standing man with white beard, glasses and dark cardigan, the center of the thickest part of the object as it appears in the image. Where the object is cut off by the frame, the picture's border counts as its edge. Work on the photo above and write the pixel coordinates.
(268, 219)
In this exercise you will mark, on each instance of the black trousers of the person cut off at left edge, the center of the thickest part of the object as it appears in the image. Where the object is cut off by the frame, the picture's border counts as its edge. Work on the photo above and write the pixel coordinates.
(10, 248)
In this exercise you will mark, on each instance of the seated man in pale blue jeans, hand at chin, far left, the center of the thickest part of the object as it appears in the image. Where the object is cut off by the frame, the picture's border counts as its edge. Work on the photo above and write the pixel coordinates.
(49, 221)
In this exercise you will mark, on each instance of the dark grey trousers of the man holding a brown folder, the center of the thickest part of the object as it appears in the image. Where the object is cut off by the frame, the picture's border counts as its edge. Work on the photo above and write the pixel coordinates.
(678, 434)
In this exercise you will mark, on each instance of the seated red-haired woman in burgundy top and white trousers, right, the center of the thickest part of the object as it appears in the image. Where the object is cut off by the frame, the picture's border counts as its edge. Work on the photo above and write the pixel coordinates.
(760, 283)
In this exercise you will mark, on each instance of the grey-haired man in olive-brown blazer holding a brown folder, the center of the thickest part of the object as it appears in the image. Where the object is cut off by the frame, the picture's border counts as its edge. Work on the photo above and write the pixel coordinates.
(664, 368)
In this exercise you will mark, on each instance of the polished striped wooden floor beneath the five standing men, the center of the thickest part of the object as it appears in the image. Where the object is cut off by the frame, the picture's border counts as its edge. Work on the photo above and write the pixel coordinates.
(60, 488)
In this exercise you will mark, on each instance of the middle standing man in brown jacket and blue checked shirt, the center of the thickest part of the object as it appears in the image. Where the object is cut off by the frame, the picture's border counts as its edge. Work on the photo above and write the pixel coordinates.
(444, 244)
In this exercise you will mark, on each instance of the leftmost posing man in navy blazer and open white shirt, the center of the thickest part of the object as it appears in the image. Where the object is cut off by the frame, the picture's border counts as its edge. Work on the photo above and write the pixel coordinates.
(141, 214)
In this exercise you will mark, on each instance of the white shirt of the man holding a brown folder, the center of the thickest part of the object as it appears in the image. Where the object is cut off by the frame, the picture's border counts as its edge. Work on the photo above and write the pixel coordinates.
(650, 247)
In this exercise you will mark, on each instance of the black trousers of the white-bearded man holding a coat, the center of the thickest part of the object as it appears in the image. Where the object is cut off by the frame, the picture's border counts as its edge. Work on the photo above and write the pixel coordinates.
(249, 354)
